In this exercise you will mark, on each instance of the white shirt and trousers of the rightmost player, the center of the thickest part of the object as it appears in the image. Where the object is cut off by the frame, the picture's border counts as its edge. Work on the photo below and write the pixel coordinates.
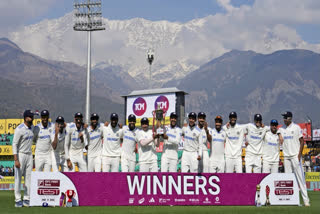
(291, 146)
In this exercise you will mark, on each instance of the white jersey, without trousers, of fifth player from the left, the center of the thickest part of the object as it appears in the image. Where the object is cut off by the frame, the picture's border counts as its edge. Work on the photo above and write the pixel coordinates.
(95, 140)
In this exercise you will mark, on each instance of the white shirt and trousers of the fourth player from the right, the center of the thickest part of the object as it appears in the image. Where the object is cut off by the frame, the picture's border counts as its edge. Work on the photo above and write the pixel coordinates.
(233, 148)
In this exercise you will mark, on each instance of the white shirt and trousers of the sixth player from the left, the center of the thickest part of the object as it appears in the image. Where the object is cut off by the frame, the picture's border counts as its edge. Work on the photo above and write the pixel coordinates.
(111, 148)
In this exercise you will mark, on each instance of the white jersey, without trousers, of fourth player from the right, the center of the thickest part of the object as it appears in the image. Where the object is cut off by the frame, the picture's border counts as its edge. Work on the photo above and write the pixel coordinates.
(234, 141)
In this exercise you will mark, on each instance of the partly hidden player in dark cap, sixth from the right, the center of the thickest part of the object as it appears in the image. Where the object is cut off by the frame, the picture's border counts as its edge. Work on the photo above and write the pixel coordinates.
(204, 162)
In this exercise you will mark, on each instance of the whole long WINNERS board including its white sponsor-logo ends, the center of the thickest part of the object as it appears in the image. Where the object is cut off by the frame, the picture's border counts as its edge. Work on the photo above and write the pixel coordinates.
(148, 189)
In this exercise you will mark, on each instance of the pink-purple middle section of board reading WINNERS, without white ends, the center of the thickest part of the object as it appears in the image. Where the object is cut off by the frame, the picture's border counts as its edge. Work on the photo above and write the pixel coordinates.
(121, 189)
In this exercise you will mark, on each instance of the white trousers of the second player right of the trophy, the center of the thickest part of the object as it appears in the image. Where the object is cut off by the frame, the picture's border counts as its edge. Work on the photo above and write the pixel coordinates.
(189, 161)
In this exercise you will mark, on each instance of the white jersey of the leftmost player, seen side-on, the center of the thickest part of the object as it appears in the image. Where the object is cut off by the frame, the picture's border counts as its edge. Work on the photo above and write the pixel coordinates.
(22, 139)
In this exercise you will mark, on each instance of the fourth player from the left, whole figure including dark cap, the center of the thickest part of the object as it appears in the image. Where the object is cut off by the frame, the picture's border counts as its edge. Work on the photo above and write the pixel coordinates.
(76, 140)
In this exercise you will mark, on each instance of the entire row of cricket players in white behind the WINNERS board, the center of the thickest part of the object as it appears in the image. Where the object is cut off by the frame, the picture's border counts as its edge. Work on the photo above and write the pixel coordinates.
(109, 145)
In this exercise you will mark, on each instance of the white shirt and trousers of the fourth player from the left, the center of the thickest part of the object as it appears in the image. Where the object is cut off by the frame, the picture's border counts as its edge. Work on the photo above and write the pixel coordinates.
(74, 147)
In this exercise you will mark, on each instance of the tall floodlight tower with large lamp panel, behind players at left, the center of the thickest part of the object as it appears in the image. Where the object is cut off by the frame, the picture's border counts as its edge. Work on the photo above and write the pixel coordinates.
(88, 17)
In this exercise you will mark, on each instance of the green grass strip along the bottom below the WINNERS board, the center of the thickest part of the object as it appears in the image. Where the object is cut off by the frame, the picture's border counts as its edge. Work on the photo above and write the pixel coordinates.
(7, 206)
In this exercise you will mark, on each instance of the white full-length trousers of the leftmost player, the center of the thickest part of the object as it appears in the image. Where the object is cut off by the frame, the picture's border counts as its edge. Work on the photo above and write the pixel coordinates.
(26, 165)
